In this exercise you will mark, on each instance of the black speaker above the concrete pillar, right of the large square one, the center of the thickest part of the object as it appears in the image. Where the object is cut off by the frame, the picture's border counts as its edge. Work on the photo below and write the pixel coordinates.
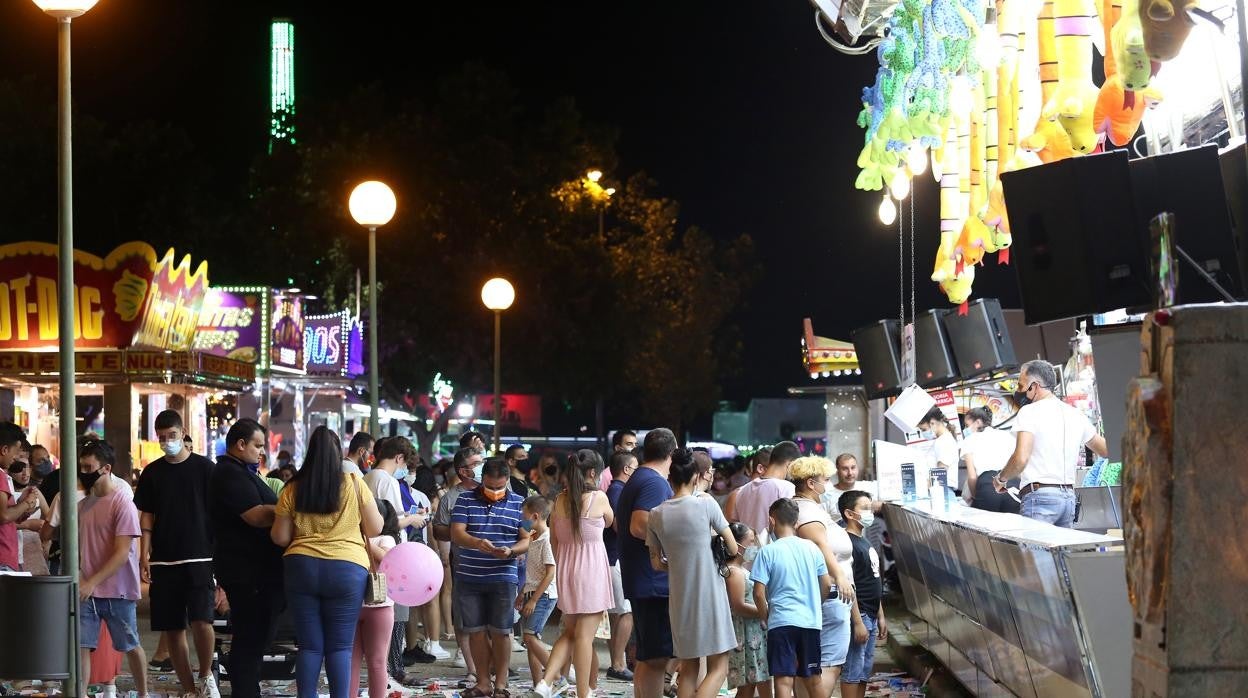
(1189, 184)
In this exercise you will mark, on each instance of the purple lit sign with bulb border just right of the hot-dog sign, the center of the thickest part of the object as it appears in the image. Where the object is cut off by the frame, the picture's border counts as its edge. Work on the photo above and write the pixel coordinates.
(233, 324)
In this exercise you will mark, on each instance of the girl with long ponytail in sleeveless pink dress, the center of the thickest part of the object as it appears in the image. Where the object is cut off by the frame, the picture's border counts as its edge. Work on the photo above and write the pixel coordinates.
(583, 576)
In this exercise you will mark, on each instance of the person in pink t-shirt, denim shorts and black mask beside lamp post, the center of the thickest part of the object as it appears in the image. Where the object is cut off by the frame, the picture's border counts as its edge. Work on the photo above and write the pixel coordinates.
(109, 589)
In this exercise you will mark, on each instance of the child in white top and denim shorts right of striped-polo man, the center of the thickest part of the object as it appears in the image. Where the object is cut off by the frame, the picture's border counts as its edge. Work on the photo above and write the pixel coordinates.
(539, 597)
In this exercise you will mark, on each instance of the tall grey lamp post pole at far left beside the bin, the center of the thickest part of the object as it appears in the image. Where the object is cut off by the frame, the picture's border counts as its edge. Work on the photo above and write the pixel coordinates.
(66, 312)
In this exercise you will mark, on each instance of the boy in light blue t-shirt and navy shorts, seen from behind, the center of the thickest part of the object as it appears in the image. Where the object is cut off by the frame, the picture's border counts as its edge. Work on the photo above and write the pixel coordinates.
(787, 592)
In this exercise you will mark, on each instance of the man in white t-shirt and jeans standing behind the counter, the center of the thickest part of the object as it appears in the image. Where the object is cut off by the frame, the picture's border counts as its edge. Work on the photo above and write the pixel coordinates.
(1050, 440)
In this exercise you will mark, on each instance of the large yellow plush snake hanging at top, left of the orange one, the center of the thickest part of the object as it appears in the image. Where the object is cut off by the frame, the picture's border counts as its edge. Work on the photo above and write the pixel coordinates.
(1075, 98)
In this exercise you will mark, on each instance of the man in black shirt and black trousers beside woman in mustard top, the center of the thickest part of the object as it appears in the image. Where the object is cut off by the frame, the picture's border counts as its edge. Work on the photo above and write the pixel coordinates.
(248, 563)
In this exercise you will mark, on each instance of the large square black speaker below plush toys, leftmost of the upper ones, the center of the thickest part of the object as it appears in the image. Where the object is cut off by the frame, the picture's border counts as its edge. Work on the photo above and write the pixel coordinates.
(1078, 245)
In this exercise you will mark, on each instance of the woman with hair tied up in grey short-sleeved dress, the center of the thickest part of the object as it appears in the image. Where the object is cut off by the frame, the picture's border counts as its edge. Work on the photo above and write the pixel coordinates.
(680, 540)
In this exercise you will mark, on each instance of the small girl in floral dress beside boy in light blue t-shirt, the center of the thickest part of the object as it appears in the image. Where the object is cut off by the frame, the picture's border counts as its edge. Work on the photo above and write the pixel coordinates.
(748, 664)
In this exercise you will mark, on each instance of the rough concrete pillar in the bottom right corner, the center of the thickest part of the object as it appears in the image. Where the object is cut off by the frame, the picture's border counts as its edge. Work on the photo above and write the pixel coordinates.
(1185, 489)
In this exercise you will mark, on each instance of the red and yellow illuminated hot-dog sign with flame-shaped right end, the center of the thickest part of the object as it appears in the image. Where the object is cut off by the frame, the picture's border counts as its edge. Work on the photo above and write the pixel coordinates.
(130, 298)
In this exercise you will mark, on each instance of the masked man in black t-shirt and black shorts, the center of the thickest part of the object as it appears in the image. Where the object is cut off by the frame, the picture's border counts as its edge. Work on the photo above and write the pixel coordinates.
(177, 551)
